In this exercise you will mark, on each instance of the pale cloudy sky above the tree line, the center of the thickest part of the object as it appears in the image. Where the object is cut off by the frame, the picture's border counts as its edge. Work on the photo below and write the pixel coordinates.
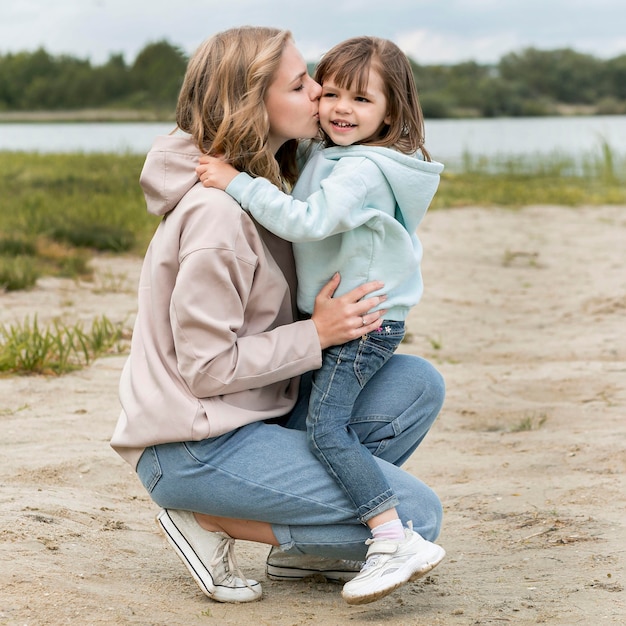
(429, 31)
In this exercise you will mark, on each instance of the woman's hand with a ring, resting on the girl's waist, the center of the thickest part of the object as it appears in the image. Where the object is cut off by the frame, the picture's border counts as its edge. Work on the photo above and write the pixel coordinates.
(342, 319)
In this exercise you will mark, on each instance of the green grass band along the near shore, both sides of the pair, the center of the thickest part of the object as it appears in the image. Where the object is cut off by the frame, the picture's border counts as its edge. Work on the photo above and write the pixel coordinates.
(60, 209)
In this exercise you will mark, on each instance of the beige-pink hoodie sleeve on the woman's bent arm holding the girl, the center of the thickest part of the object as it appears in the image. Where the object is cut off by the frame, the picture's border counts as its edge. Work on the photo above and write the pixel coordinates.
(230, 331)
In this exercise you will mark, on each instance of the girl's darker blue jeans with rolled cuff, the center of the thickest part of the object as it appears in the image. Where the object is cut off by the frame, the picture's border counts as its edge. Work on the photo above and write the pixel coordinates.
(345, 371)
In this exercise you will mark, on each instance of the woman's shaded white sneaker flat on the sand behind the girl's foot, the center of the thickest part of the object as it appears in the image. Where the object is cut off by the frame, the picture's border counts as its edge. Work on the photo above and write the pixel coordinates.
(284, 566)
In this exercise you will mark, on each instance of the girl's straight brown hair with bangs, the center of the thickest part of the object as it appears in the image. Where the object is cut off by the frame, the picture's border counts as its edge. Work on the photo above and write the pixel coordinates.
(348, 64)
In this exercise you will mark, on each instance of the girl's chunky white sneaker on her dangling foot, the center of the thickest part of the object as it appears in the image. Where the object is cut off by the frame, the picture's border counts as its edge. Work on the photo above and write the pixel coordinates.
(390, 564)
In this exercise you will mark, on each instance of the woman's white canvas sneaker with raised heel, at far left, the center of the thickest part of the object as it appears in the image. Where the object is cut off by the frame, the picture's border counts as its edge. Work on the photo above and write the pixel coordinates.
(209, 557)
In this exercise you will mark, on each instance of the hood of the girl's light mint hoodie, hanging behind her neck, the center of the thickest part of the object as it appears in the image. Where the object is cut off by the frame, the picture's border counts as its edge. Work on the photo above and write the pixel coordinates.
(413, 180)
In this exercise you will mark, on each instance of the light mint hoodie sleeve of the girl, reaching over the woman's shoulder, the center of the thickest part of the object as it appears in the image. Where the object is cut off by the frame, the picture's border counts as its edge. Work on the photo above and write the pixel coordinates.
(335, 208)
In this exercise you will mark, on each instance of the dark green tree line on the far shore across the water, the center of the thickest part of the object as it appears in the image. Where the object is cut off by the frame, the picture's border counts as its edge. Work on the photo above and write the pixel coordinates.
(528, 82)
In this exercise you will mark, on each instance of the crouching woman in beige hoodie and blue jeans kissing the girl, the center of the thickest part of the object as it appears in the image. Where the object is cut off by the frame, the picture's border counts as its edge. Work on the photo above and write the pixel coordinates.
(214, 393)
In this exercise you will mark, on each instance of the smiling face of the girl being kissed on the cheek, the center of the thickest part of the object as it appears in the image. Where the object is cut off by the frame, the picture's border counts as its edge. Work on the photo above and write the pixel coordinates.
(349, 117)
